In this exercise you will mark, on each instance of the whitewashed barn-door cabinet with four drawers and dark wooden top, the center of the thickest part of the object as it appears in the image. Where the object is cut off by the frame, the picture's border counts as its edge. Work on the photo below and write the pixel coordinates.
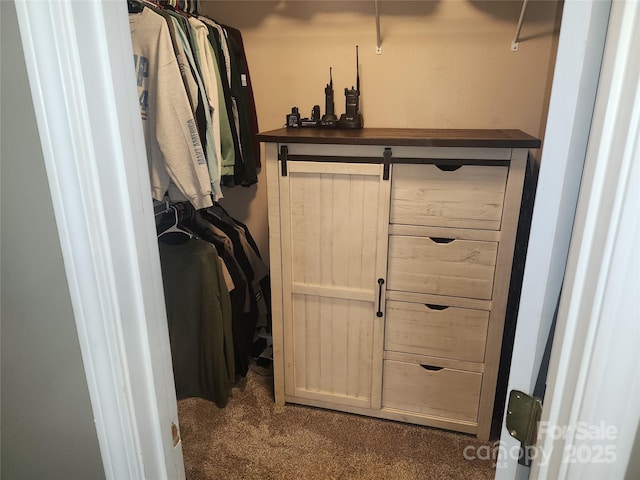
(391, 254)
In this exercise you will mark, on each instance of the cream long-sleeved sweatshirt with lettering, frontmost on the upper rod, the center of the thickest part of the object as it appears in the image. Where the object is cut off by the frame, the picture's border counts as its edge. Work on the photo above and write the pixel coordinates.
(174, 150)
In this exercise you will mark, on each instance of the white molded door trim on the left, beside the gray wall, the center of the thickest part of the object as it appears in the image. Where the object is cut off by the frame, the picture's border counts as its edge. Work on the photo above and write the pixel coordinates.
(80, 66)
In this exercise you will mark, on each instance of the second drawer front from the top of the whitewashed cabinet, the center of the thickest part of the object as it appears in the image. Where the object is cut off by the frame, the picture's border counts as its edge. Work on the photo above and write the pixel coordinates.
(459, 268)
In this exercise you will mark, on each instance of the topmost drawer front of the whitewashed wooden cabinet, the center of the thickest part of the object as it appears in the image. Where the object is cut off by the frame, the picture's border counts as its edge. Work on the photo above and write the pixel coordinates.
(471, 196)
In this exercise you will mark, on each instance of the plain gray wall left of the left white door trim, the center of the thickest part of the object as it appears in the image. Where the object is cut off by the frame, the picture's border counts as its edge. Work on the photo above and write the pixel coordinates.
(46, 418)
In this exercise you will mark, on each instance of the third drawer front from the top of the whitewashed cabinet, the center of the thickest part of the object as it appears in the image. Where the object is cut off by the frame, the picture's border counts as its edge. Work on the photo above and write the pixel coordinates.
(438, 331)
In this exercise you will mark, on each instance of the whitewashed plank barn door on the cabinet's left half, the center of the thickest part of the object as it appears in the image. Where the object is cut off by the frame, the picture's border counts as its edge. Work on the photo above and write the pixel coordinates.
(333, 231)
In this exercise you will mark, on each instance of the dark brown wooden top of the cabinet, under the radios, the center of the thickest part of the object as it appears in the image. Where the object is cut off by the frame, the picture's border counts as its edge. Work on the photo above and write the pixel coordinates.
(414, 137)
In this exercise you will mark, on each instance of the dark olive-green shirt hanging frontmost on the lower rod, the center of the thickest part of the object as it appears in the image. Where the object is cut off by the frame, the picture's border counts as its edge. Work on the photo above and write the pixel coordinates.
(199, 320)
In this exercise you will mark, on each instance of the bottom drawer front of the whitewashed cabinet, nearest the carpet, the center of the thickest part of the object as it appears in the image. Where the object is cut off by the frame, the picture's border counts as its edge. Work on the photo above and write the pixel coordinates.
(443, 393)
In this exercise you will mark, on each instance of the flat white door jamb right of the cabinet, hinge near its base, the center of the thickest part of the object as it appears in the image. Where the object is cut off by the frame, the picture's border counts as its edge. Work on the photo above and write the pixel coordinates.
(582, 37)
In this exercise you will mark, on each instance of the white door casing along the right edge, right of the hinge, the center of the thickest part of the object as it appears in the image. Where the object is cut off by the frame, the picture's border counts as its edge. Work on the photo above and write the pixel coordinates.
(591, 415)
